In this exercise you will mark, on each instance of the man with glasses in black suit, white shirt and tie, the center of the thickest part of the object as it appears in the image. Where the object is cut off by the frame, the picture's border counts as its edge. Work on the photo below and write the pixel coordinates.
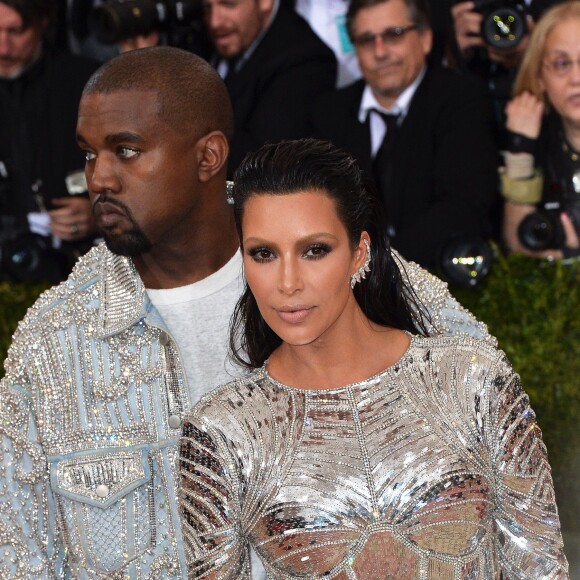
(434, 158)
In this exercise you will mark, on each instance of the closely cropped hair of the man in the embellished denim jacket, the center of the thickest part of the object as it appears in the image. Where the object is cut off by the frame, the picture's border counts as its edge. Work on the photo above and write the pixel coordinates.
(192, 96)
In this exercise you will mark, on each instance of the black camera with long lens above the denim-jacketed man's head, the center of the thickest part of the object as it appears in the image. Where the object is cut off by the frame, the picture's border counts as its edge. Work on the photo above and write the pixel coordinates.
(117, 20)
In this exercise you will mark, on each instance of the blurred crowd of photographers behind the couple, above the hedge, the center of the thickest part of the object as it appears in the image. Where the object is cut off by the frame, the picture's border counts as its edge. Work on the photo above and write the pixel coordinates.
(465, 113)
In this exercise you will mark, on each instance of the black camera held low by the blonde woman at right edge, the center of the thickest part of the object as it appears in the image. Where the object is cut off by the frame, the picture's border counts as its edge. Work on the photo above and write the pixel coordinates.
(542, 230)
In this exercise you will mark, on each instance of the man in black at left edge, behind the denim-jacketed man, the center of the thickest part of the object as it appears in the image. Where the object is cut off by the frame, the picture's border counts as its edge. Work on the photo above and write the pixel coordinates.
(45, 215)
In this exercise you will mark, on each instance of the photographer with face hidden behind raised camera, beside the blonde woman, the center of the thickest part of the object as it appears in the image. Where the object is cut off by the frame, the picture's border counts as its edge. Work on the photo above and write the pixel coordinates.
(493, 51)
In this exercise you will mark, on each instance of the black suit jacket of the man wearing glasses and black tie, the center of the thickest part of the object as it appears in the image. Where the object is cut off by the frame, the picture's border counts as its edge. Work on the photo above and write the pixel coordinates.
(444, 166)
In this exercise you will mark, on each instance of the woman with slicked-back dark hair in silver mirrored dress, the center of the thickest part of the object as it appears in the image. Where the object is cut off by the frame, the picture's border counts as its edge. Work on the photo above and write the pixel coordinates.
(358, 446)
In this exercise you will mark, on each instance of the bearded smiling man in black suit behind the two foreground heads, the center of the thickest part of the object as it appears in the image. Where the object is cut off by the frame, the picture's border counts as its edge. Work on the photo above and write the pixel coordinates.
(273, 65)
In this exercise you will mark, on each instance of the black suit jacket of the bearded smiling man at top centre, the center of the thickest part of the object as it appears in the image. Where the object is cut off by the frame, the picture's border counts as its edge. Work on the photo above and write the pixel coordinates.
(272, 92)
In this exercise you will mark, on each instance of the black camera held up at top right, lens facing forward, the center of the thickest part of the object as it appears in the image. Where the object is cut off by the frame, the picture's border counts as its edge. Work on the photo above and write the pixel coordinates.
(504, 22)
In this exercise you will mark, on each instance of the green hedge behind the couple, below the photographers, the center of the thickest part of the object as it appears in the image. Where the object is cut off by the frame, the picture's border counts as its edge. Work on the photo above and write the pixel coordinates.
(533, 307)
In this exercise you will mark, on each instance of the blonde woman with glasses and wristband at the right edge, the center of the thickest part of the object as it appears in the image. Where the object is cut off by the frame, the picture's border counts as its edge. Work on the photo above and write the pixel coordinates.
(541, 178)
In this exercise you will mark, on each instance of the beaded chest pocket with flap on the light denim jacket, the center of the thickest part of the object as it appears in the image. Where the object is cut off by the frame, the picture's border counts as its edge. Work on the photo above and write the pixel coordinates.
(106, 504)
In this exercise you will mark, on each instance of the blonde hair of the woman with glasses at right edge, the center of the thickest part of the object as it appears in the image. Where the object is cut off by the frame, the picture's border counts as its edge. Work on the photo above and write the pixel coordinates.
(528, 78)
